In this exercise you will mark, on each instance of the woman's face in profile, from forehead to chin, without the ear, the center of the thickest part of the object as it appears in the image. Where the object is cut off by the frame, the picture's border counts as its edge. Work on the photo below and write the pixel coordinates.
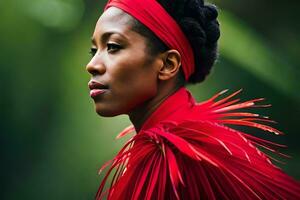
(123, 76)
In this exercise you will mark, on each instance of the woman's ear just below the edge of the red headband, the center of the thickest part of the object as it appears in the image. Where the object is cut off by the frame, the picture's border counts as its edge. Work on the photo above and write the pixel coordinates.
(171, 65)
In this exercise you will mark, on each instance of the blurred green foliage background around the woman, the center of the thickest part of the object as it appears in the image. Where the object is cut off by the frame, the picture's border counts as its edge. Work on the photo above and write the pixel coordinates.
(52, 141)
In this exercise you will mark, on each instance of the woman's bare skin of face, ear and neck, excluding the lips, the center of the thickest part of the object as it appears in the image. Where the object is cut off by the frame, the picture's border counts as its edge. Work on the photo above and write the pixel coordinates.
(135, 82)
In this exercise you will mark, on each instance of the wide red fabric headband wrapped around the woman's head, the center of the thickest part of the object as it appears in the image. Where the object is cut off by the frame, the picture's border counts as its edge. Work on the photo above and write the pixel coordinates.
(153, 15)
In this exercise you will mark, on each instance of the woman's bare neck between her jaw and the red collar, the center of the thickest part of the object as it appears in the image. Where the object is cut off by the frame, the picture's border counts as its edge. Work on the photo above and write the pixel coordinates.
(141, 113)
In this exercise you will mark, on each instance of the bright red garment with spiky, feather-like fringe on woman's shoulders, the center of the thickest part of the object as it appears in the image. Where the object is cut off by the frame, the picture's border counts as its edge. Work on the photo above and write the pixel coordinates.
(185, 150)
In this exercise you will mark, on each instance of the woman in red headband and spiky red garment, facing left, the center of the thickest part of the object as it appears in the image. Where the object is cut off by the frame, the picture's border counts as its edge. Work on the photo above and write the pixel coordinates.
(144, 52)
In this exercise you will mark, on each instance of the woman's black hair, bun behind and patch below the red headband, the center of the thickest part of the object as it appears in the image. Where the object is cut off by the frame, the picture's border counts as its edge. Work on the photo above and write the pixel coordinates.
(199, 23)
